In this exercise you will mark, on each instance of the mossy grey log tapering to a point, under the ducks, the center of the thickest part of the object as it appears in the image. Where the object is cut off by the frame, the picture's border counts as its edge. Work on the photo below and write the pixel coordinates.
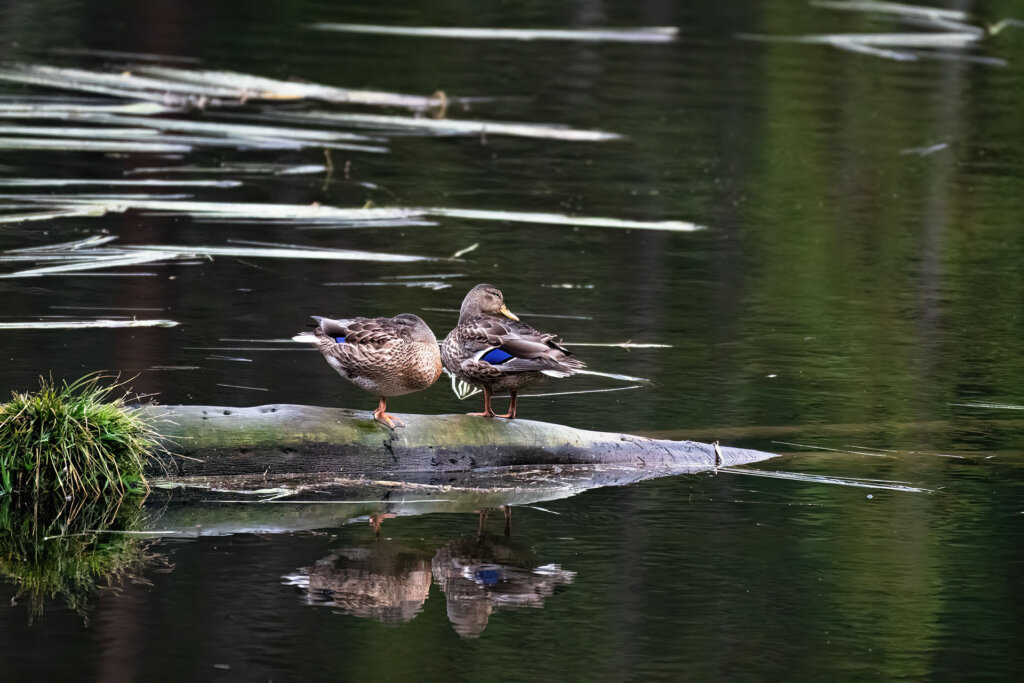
(287, 440)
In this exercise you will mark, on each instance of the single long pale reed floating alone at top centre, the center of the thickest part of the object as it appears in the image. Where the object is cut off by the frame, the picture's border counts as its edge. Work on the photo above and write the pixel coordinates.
(638, 35)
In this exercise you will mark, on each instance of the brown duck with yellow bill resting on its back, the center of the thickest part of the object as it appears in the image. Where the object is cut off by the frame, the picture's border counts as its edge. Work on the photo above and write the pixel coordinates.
(492, 350)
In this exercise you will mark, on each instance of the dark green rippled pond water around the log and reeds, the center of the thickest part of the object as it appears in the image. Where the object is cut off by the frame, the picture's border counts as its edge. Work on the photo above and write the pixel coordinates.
(845, 296)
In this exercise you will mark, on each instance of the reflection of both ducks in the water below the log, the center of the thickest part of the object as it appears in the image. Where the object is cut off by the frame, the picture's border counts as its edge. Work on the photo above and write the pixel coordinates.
(390, 582)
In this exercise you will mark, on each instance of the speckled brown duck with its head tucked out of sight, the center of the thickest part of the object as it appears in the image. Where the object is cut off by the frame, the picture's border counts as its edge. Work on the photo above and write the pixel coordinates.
(388, 357)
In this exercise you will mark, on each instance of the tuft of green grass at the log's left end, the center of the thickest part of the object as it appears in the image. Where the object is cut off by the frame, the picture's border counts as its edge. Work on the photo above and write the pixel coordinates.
(77, 441)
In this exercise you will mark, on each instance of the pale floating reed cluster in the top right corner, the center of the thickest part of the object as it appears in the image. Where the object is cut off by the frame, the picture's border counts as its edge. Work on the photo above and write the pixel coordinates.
(948, 29)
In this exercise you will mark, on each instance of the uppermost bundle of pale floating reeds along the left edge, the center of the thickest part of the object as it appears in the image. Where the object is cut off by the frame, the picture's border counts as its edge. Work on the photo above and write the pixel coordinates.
(169, 91)
